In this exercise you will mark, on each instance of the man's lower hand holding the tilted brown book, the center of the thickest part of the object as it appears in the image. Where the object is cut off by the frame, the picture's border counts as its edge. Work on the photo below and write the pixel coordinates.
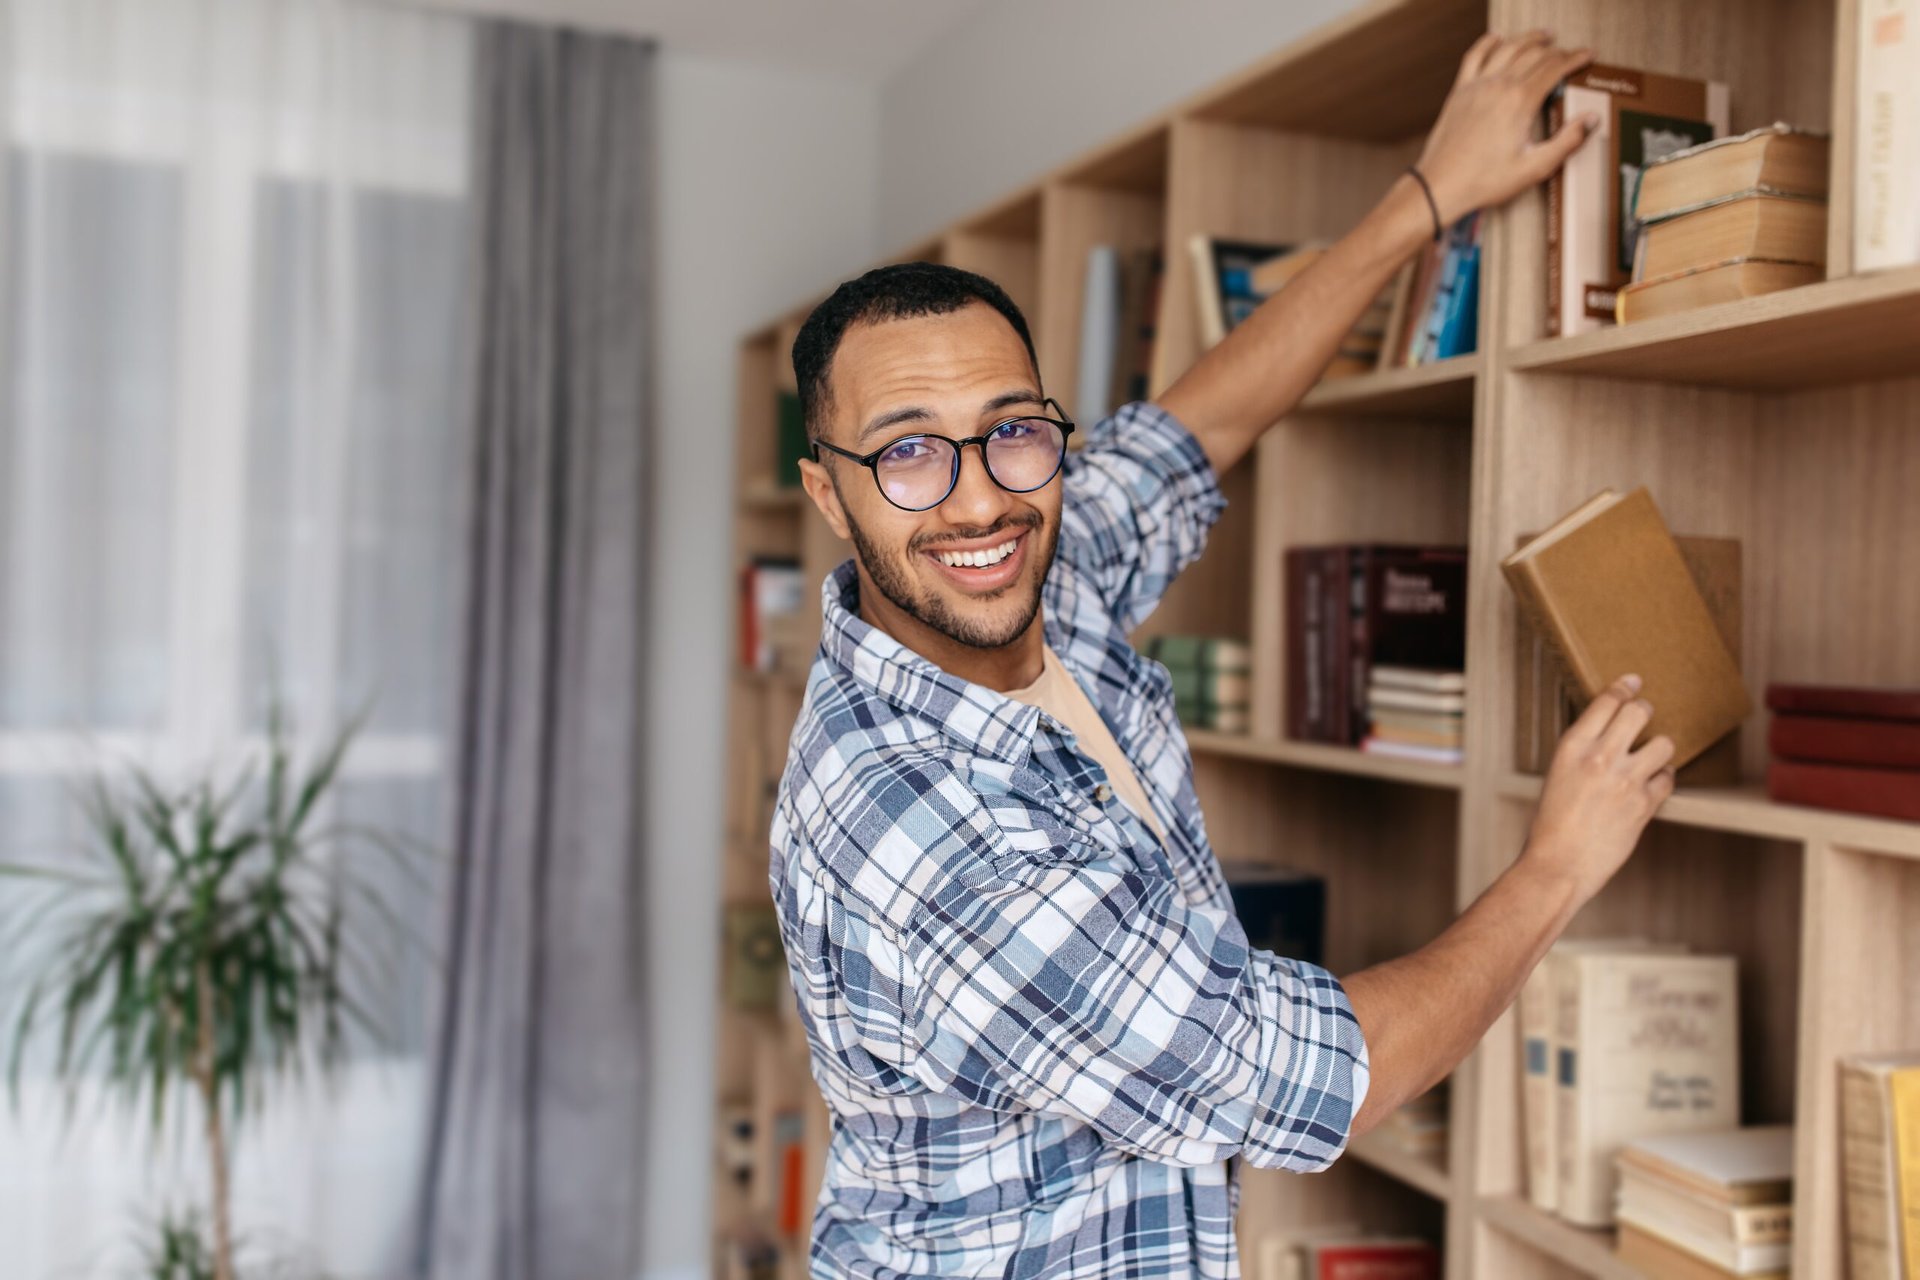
(1600, 792)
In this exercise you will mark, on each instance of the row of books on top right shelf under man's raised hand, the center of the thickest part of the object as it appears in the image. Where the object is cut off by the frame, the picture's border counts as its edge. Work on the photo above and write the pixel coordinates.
(1662, 210)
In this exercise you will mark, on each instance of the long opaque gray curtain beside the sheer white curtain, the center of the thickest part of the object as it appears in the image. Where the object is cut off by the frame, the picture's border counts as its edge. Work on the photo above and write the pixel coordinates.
(535, 1156)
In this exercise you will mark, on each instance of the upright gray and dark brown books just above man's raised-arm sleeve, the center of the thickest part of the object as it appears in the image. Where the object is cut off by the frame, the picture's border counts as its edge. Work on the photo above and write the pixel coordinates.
(1120, 308)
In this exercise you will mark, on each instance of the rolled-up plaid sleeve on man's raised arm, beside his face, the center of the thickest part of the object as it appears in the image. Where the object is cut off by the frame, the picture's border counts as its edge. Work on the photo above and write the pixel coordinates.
(1138, 508)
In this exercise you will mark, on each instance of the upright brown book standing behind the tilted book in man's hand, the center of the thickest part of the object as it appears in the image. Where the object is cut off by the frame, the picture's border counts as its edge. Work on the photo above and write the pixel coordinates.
(1550, 699)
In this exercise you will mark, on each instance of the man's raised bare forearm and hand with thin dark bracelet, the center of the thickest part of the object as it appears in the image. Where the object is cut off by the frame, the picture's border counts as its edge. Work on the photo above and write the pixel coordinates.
(1479, 154)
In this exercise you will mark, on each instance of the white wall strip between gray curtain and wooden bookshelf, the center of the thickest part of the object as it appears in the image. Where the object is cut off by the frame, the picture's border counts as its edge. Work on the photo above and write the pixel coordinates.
(767, 195)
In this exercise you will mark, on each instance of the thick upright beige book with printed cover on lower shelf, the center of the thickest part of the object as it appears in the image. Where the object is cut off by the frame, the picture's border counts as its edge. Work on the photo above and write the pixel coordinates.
(1652, 1045)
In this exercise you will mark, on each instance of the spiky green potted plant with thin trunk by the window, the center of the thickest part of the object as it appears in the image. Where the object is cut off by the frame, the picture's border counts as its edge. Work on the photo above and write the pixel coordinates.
(197, 945)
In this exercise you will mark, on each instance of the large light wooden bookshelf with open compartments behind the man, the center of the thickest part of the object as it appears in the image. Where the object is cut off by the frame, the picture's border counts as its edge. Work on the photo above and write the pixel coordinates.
(1790, 423)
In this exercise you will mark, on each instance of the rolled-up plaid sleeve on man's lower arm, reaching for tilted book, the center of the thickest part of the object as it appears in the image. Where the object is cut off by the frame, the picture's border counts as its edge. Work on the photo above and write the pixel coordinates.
(1101, 993)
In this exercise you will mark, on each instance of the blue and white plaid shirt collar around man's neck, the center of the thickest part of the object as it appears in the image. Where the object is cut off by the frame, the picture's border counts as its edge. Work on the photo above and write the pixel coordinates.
(972, 717)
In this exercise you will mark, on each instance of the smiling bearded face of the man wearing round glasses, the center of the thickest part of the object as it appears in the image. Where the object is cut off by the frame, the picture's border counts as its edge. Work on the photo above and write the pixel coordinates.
(949, 375)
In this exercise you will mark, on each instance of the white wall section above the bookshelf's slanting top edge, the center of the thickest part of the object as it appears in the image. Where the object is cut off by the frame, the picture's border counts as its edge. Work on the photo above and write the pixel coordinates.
(1026, 85)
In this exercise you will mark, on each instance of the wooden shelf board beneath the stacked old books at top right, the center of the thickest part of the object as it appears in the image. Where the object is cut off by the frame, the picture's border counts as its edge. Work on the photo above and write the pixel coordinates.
(1840, 331)
